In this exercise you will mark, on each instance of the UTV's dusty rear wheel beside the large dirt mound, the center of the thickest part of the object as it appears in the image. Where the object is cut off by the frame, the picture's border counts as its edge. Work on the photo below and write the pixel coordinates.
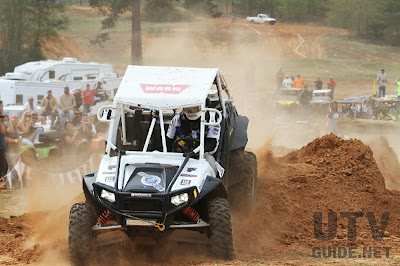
(243, 173)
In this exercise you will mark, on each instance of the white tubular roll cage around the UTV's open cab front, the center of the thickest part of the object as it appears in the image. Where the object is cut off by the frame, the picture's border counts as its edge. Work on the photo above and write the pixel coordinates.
(129, 122)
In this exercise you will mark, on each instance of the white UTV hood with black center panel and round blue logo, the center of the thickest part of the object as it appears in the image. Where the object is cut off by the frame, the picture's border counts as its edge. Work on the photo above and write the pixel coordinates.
(152, 174)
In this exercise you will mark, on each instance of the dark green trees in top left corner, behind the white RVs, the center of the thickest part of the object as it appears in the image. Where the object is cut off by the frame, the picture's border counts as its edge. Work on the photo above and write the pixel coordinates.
(25, 26)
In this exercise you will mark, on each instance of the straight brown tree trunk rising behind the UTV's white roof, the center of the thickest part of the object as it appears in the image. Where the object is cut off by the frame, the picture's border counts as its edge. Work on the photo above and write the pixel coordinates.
(136, 45)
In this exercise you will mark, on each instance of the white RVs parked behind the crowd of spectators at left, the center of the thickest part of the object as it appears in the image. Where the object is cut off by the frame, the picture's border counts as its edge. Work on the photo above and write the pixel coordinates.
(34, 79)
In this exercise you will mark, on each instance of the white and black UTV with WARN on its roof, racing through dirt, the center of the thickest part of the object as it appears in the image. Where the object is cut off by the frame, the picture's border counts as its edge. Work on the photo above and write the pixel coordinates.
(143, 190)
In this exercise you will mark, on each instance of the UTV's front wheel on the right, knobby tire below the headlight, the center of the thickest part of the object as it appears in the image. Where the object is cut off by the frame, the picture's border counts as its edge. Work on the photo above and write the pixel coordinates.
(221, 239)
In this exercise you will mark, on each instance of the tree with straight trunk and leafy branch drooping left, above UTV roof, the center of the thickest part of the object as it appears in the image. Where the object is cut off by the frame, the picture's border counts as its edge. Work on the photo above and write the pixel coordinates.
(112, 10)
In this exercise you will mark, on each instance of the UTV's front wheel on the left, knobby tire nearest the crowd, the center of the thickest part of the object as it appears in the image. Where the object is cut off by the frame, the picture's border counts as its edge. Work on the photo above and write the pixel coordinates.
(80, 237)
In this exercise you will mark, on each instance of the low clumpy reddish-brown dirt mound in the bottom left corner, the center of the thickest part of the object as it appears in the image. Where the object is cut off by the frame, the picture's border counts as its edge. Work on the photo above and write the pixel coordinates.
(14, 241)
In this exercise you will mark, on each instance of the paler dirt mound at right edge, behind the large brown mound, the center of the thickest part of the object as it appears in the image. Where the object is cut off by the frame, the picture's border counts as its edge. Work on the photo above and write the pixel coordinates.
(387, 161)
